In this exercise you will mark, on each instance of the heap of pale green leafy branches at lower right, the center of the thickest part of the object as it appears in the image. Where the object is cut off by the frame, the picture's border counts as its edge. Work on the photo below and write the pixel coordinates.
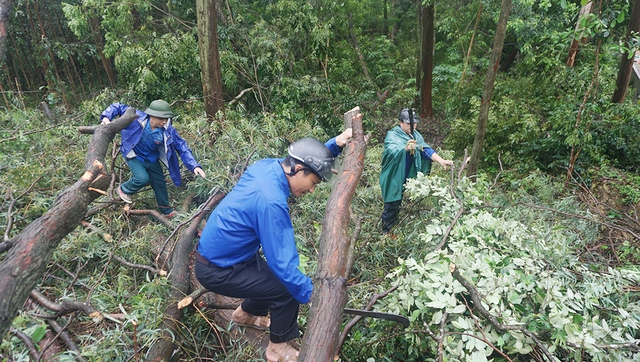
(522, 265)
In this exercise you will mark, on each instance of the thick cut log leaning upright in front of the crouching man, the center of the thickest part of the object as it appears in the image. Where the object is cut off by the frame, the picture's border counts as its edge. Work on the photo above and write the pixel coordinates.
(330, 289)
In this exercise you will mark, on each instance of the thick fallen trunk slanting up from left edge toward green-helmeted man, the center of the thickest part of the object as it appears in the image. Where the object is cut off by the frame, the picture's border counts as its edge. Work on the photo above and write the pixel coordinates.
(33, 247)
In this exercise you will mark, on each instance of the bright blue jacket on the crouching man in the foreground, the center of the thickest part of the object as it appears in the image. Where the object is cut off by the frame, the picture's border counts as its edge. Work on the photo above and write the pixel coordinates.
(256, 213)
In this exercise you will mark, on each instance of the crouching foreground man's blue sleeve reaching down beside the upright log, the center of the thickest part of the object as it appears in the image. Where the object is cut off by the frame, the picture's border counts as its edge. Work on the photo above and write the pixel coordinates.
(275, 231)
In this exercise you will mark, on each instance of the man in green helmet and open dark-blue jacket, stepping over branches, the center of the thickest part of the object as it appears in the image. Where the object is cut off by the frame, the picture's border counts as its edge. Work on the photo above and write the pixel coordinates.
(149, 138)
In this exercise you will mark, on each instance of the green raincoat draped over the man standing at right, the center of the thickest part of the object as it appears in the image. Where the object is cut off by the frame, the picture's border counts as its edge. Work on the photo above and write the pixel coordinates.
(394, 160)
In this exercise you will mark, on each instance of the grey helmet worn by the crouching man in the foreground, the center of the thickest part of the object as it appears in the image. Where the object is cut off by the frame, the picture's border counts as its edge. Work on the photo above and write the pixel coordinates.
(314, 155)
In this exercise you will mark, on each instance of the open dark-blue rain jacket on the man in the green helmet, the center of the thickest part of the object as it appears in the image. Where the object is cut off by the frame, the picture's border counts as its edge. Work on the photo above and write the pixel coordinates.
(174, 145)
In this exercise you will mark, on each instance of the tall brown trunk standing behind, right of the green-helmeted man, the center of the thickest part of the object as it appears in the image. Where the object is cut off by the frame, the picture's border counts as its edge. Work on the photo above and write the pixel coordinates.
(209, 57)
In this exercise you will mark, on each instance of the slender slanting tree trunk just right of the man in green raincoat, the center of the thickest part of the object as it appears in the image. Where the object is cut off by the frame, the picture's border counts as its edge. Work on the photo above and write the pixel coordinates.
(487, 89)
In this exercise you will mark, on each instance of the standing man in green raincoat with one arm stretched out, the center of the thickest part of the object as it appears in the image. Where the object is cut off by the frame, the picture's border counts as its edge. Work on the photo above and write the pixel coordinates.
(405, 154)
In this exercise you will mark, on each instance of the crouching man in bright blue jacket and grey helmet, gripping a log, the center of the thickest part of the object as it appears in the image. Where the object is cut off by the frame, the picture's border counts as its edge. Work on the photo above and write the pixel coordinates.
(255, 215)
